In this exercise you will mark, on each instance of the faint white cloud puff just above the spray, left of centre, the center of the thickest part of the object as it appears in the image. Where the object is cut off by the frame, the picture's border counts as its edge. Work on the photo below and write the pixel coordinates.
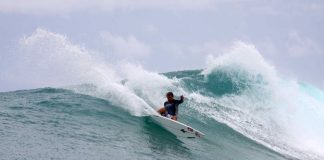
(126, 47)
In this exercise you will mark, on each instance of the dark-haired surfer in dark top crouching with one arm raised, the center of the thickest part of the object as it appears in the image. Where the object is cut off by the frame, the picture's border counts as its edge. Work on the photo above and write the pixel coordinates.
(170, 108)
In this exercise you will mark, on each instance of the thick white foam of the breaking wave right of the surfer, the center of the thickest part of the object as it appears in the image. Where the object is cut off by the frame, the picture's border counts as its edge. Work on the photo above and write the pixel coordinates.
(277, 113)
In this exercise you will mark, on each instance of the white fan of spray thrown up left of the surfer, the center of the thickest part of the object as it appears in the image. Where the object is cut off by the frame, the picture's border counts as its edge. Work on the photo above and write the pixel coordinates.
(50, 59)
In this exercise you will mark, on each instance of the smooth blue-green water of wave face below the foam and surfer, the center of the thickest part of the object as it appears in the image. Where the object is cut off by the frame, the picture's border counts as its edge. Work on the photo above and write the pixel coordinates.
(60, 124)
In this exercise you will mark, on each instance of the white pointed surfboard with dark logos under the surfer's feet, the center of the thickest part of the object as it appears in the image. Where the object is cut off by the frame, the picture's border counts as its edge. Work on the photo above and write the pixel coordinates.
(177, 128)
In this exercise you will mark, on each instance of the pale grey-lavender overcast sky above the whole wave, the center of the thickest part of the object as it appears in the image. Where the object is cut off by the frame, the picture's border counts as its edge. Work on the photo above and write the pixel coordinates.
(170, 35)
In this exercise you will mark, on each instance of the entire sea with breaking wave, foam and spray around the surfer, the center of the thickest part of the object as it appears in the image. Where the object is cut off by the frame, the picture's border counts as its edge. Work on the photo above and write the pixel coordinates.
(75, 105)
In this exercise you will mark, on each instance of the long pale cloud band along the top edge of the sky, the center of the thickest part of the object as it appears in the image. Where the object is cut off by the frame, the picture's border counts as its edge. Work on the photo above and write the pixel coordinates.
(61, 7)
